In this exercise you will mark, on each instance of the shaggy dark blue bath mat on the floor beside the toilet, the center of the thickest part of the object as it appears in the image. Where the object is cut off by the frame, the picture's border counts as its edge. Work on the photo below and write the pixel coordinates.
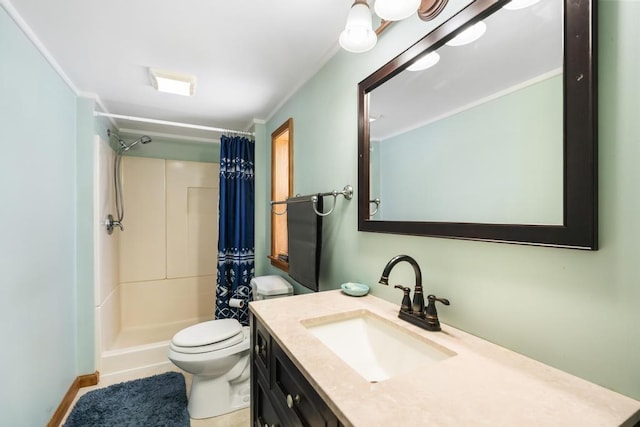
(160, 400)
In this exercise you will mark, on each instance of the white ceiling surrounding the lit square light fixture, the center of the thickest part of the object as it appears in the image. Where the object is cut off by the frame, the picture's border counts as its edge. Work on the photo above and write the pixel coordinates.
(248, 56)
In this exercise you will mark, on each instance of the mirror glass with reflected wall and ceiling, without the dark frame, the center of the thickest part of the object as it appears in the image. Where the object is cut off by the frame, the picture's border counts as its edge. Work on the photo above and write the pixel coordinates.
(508, 170)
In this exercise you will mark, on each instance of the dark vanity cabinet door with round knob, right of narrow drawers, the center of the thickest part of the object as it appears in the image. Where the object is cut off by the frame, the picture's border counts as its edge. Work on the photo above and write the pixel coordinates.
(291, 391)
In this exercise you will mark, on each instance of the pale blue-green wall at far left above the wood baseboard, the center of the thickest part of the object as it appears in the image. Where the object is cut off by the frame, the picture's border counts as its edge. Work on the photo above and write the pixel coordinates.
(38, 245)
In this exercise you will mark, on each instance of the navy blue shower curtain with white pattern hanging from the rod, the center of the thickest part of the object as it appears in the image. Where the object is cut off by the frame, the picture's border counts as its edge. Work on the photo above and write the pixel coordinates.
(236, 228)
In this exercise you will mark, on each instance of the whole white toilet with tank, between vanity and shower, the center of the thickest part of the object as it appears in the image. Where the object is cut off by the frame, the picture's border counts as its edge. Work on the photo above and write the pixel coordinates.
(216, 353)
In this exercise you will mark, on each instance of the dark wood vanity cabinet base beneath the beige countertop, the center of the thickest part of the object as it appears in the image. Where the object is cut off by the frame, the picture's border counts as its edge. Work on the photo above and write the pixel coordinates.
(280, 395)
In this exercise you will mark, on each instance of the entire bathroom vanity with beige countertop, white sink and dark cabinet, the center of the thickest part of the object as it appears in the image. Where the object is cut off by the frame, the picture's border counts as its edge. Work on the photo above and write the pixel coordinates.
(301, 375)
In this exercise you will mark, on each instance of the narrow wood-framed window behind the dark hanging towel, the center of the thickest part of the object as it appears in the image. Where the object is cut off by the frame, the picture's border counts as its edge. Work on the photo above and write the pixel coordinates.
(281, 170)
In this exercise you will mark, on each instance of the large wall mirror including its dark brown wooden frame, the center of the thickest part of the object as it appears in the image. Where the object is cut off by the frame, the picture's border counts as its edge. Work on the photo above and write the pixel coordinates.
(496, 141)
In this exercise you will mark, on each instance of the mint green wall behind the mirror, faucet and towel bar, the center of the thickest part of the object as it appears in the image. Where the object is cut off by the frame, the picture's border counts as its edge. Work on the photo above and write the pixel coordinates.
(575, 310)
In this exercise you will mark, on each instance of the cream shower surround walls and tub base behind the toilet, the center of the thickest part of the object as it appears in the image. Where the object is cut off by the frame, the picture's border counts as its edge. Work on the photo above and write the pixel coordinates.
(158, 275)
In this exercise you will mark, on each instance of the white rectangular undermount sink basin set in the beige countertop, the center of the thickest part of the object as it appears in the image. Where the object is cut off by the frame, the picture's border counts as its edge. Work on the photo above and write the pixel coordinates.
(374, 347)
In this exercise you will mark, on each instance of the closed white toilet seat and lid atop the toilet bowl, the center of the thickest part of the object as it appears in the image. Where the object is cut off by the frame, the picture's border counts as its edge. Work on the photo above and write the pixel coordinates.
(208, 336)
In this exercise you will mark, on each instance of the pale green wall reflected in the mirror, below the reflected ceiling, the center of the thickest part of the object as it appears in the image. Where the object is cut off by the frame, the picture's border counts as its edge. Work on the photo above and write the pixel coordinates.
(518, 135)
